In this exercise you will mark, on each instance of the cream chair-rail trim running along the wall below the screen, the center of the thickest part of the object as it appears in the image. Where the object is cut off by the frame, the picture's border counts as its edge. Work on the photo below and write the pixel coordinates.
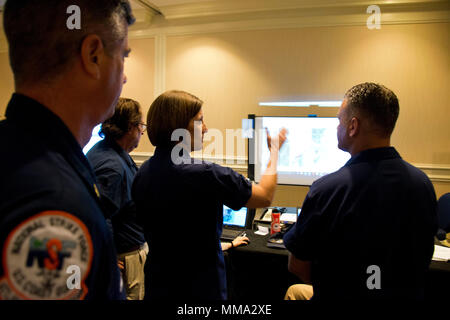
(435, 172)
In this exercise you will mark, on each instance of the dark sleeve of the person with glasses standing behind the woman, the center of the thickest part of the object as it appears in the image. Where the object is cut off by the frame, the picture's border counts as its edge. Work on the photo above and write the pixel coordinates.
(109, 183)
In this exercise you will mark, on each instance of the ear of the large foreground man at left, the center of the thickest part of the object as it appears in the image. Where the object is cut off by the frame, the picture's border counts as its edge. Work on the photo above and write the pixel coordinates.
(92, 52)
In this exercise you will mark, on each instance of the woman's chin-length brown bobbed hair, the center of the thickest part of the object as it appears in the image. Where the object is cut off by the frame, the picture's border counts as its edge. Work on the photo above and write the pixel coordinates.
(170, 111)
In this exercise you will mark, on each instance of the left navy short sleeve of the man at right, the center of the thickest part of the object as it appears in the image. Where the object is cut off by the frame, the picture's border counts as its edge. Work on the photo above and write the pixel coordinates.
(302, 239)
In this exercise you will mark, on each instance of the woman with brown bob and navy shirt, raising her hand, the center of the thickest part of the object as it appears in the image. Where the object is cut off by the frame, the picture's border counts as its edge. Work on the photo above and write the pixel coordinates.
(180, 201)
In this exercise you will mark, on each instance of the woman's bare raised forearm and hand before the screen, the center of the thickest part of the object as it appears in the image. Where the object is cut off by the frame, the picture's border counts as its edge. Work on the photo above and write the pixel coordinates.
(262, 193)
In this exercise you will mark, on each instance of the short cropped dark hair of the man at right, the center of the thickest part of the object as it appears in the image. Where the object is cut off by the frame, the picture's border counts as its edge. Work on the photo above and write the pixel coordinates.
(376, 103)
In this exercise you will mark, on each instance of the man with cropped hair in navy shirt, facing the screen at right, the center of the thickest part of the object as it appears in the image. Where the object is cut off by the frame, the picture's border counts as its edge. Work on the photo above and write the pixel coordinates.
(367, 230)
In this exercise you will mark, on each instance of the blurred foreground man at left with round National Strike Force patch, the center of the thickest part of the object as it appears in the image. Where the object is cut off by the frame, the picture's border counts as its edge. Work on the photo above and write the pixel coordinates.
(54, 239)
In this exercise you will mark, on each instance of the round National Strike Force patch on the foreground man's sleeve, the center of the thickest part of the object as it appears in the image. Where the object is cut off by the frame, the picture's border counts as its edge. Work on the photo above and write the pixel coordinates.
(47, 256)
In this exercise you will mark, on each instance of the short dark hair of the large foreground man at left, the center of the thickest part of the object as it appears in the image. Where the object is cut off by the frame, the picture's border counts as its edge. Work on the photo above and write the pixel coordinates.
(40, 44)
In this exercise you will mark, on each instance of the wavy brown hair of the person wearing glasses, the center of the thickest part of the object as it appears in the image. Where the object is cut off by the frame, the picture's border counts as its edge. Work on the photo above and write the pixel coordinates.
(127, 115)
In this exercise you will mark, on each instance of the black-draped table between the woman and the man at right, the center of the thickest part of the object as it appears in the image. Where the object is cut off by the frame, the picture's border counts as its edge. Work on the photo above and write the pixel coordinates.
(258, 273)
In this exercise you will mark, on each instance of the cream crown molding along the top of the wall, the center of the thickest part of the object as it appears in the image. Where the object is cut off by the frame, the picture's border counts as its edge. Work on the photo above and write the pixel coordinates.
(219, 16)
